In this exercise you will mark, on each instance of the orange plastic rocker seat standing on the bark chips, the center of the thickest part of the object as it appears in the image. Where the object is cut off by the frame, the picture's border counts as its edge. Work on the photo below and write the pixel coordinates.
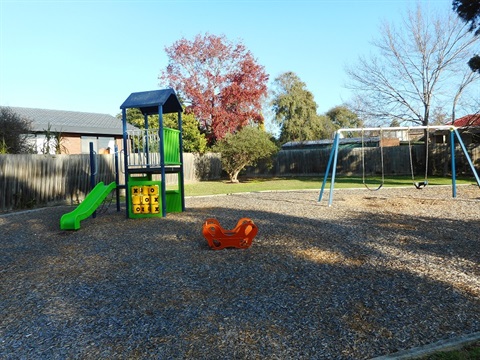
(239, 237)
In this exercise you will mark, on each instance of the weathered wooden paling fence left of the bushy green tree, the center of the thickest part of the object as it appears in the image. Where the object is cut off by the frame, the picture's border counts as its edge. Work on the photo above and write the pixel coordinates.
(28, 181)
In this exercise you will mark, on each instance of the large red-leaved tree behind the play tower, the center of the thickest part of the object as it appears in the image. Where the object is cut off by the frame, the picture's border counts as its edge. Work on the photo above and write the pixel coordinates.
(219, 81)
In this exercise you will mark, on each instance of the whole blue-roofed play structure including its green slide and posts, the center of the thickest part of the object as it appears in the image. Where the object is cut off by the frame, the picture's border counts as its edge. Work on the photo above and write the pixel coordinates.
(147, 152)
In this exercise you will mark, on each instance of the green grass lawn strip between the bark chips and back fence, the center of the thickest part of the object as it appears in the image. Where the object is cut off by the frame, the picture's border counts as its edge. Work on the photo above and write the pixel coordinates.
(303, 183)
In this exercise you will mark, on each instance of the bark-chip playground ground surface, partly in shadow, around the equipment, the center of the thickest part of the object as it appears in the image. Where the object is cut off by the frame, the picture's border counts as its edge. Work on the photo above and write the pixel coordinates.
(375, 273)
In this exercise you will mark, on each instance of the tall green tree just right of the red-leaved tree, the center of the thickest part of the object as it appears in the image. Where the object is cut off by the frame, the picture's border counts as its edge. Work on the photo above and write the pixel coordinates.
(295, 110)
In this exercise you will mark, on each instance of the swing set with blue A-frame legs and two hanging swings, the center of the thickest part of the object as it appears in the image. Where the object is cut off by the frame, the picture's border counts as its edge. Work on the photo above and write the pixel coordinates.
(332, 161)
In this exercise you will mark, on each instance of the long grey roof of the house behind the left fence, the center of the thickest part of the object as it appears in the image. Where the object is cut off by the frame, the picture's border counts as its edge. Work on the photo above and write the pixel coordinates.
(72, 121)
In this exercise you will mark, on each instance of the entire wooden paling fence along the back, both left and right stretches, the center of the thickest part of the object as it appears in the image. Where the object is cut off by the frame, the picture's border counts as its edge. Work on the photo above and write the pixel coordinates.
(28, 181)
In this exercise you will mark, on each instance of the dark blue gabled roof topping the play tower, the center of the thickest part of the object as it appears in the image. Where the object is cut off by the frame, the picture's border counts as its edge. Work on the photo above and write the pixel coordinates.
(149, 101)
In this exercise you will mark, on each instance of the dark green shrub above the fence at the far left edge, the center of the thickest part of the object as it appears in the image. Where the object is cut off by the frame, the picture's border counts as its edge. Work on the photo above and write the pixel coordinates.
(14, 132)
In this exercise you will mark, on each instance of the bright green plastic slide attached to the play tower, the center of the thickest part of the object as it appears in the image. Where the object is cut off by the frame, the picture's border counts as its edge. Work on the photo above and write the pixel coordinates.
(71, 220)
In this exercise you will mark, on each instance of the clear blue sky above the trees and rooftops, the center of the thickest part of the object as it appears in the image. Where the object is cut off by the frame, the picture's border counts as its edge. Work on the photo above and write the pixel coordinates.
(88, 55)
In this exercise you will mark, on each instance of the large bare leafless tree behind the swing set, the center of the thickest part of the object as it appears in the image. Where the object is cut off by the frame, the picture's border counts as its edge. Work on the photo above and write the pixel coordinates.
(419, 66)
